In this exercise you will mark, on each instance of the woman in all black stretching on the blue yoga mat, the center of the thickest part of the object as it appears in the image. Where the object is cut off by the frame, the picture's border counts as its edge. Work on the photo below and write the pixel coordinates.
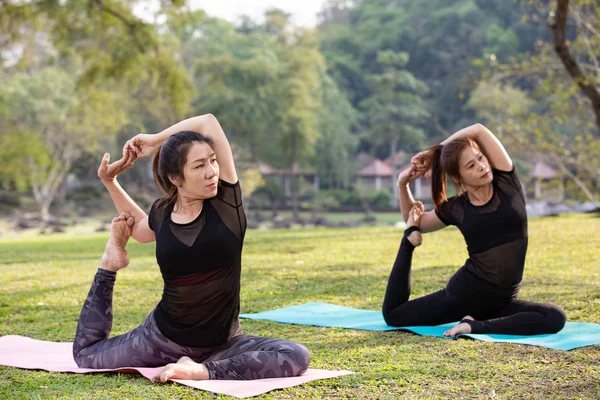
(490, 213)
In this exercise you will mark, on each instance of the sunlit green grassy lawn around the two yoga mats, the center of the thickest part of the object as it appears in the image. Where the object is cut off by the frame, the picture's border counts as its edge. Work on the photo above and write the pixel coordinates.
(44, 281)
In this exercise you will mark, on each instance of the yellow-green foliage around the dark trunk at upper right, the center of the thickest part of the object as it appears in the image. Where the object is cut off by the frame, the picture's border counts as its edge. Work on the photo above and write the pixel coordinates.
(541, 110)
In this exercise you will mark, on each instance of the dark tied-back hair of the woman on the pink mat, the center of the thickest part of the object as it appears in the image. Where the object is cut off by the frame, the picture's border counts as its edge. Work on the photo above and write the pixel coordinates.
(170, 159)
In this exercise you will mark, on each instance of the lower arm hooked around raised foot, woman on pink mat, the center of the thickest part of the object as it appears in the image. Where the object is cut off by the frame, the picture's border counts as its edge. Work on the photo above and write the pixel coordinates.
(123, 202)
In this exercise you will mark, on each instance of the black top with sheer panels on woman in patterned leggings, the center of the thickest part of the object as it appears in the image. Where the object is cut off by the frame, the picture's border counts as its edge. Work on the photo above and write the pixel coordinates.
(200, 263)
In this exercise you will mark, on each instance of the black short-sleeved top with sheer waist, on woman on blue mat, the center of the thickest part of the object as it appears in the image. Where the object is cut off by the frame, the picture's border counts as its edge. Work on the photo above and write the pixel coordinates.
(495, 232)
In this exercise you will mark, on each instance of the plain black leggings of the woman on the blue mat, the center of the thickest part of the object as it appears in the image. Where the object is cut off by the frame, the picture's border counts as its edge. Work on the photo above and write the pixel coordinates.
(495, 309)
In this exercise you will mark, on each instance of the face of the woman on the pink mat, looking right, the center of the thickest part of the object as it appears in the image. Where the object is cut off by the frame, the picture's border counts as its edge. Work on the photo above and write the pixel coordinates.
(200, 172)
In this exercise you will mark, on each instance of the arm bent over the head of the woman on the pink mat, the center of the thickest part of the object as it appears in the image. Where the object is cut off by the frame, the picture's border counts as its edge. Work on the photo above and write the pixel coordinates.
(146, 145)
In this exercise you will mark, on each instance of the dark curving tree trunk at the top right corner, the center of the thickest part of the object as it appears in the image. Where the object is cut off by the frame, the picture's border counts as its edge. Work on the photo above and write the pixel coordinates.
(557, 27)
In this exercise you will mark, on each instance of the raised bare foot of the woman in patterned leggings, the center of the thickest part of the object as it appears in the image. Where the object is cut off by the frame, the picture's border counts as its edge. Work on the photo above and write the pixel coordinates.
(115, 257)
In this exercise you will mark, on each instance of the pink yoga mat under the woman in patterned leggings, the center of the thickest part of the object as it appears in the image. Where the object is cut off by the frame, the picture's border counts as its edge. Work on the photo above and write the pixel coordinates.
(27, 353)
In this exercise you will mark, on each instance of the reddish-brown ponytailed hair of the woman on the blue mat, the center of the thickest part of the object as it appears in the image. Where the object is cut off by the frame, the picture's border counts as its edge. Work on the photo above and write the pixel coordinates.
(444, 160)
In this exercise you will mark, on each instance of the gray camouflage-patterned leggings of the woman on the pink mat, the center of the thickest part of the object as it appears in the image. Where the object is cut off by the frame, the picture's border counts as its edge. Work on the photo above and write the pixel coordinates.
(242, 357)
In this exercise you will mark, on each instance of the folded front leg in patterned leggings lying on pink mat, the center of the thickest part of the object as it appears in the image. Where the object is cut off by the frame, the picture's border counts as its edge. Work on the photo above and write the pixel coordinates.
(252, 357)
